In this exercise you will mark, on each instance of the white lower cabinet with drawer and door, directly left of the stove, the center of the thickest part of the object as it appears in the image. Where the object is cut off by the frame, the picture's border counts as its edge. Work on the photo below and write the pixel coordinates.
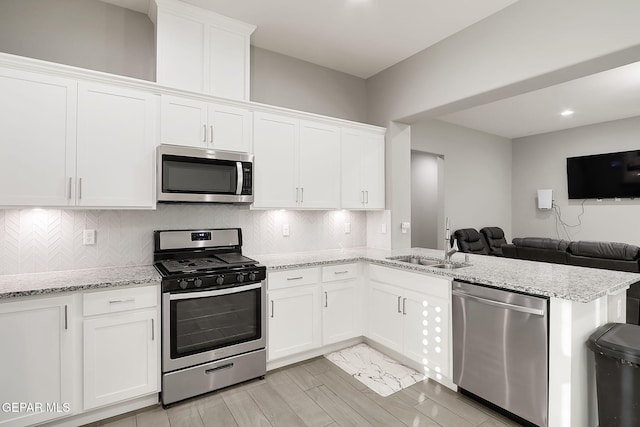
(121, 350)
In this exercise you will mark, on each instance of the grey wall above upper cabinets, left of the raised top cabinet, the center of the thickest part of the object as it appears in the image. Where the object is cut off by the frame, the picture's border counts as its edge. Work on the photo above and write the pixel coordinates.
(83, 33)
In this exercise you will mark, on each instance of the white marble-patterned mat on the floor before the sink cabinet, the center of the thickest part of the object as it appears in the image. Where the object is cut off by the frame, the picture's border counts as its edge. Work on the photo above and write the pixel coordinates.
(377, 371)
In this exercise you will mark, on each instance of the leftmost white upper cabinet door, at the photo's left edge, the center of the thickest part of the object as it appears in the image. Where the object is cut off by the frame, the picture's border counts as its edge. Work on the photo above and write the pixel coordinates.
(37, 139)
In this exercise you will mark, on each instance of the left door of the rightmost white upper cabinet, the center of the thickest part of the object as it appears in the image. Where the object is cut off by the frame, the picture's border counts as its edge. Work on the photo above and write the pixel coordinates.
(351, 166)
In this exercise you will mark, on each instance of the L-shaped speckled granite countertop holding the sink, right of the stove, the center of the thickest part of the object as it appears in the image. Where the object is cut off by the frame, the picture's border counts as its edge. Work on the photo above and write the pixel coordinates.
(540, 278)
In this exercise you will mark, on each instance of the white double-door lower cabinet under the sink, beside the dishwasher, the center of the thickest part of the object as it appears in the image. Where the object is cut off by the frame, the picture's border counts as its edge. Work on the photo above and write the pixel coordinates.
(410, 314)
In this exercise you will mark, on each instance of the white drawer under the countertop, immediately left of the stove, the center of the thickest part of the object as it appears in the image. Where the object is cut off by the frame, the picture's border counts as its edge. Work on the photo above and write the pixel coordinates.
(117, 300)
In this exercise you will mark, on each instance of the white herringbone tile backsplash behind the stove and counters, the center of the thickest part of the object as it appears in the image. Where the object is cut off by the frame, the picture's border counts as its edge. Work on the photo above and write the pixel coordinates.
(37, 240)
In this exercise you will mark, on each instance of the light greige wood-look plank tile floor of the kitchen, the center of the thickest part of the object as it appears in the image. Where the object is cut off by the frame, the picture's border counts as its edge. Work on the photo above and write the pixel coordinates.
(317, 393)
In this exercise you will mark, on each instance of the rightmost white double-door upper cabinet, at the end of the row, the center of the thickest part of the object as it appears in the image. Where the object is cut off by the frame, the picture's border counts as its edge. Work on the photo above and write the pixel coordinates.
(363, 176)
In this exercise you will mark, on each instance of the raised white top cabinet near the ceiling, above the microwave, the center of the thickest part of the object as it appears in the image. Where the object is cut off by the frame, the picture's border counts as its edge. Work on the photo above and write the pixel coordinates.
(201, 51)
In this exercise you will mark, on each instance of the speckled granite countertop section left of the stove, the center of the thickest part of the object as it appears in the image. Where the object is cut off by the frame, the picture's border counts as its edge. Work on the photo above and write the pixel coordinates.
(20, 285)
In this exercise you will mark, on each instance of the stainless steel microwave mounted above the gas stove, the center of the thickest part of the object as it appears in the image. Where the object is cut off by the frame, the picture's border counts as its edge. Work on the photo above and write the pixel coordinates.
(189, 174)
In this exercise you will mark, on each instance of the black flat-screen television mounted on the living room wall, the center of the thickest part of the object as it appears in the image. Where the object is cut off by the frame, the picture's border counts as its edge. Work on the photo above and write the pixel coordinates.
(604, 176)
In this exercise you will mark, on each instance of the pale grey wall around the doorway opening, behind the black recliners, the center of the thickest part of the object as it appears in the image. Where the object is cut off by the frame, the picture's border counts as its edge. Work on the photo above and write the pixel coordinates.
(477, 173)
